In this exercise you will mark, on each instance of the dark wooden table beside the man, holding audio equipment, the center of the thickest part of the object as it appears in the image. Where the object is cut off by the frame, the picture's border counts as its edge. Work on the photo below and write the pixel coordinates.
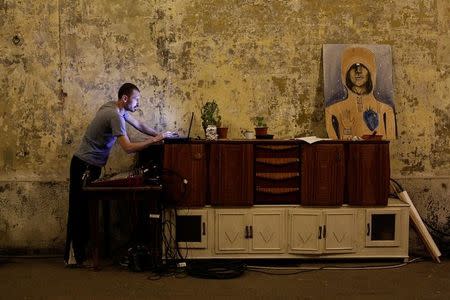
(95, 195)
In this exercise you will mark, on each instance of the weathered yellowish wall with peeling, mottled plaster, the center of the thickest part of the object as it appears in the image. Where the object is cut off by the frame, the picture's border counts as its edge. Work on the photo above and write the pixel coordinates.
(252, 57)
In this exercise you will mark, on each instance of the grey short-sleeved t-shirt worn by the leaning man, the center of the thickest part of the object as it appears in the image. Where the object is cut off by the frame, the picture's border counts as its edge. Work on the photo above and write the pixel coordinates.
(101, 134)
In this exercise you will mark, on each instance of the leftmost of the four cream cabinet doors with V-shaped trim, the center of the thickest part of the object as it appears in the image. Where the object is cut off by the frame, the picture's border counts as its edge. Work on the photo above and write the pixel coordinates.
(232, 231)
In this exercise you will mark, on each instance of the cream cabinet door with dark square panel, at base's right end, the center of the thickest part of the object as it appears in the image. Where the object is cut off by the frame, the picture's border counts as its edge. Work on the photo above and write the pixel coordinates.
(383, 227)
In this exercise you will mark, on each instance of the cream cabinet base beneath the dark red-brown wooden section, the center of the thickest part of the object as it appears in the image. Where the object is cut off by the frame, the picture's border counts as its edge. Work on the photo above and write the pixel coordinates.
(289, 231)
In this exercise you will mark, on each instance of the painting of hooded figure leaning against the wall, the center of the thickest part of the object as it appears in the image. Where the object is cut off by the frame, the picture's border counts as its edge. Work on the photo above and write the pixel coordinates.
(358, 91)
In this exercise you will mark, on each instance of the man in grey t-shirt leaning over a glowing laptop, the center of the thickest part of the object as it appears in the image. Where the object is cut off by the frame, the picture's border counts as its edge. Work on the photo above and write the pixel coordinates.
(107, 126)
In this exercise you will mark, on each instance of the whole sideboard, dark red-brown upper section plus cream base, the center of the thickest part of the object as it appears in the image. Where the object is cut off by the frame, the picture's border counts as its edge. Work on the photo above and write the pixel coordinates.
(282, 199)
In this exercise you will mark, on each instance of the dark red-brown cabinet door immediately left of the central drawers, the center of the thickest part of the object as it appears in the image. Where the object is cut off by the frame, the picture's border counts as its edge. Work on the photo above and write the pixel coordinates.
(231, 174)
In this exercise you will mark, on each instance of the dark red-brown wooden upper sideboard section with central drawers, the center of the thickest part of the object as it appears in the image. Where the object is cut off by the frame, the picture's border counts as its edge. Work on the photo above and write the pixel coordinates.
(250, 172)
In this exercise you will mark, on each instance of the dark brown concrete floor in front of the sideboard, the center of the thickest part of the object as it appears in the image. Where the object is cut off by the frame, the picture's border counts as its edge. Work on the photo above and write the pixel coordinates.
(49, 279)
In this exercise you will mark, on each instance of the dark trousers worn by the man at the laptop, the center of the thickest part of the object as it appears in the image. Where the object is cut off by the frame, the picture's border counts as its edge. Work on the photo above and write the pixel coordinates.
(78, 217)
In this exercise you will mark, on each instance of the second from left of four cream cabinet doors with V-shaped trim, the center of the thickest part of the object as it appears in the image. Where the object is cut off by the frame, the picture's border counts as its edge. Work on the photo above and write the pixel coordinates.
(267, 233)
